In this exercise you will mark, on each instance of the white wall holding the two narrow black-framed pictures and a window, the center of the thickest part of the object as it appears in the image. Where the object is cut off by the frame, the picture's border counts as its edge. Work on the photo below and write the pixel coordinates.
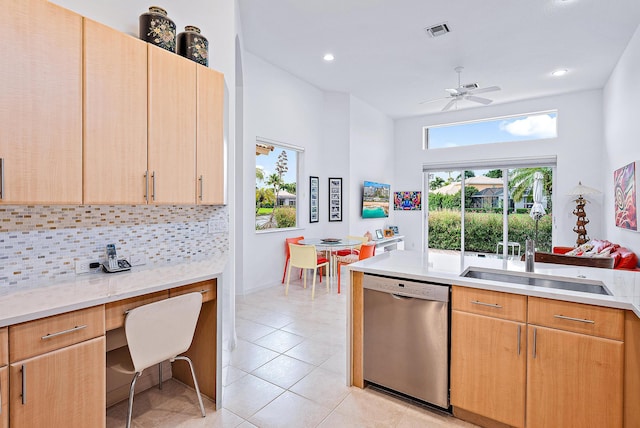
(342, 137)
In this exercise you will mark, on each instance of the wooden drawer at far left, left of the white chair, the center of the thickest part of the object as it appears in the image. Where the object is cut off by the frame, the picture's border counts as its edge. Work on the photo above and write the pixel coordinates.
(47, 334)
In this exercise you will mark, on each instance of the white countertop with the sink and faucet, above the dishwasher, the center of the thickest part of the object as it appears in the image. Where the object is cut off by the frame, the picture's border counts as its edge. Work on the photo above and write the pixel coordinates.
(446, 269)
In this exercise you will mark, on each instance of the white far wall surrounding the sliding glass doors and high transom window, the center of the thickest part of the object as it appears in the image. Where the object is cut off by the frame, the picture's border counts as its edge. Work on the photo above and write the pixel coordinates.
(578, 149)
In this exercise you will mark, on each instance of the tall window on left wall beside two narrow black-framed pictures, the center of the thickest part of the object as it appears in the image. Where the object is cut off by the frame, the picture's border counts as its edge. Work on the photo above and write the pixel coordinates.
(276, 185)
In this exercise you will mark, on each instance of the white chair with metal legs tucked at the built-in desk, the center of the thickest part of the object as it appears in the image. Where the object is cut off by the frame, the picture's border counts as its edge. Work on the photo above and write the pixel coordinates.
(155, 333)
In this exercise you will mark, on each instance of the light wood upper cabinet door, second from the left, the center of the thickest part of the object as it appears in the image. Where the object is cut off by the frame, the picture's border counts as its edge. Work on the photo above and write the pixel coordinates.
(115, 116)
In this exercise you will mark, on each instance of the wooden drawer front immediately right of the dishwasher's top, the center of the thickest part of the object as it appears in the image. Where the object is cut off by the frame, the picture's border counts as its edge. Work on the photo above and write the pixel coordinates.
(491, 303)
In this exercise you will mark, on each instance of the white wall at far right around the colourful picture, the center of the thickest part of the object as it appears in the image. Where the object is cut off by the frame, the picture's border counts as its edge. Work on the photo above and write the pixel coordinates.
(621, 137)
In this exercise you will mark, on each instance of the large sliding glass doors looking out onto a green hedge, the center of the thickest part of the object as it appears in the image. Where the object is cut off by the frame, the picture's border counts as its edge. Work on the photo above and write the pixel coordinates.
(487, 211)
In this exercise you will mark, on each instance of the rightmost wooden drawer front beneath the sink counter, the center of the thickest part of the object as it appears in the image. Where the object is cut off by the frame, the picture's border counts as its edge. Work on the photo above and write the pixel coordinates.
(577, 317)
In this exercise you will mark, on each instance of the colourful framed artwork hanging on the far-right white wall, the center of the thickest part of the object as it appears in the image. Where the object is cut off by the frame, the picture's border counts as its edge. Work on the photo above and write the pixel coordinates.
(624, 190)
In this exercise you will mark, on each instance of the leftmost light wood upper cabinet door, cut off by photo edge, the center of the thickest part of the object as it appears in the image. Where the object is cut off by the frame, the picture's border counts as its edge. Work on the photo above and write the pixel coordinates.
(41, 103)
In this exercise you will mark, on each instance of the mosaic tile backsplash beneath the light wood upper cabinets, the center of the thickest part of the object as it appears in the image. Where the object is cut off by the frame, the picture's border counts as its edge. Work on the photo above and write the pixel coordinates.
(43, 242)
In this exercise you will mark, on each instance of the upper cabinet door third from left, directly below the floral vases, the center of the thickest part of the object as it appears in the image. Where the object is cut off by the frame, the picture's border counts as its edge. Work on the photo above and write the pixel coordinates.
(172, 127)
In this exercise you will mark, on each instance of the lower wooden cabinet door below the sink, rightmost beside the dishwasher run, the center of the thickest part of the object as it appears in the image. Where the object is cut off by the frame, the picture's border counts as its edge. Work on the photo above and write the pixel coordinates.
(573, 380)
